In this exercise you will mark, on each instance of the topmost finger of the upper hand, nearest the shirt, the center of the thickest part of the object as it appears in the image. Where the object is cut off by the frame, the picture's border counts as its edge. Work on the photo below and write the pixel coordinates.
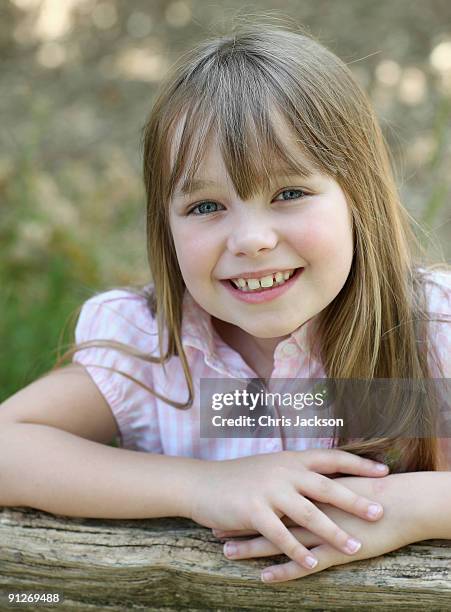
(329, 461)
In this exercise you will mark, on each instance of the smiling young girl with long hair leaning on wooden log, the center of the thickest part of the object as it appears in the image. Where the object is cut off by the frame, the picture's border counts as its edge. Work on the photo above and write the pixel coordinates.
(263, 161)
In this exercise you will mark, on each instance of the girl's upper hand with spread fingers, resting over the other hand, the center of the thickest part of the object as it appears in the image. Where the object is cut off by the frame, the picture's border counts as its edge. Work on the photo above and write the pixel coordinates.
(254, 492)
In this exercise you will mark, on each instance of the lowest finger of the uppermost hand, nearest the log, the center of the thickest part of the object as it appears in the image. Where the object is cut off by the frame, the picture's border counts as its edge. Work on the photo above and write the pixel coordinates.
(272, 528)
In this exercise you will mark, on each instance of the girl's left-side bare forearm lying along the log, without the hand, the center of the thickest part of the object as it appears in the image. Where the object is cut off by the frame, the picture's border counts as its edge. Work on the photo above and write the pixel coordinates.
(56, 471)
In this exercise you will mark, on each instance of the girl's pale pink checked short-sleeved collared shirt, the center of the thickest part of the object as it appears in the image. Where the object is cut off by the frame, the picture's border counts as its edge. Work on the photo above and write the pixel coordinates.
(148, 424)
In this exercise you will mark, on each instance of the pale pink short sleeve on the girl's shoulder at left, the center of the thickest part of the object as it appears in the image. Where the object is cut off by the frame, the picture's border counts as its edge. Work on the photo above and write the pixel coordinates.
(123, 317)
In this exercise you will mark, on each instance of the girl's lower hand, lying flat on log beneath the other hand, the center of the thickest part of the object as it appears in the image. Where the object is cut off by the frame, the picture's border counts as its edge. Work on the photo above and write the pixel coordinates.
(397, 528)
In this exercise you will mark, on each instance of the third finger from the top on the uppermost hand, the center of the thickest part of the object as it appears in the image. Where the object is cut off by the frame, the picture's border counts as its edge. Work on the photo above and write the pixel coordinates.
(309, 516)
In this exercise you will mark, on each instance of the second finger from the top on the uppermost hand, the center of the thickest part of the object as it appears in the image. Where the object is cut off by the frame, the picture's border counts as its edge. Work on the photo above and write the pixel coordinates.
(323, 489)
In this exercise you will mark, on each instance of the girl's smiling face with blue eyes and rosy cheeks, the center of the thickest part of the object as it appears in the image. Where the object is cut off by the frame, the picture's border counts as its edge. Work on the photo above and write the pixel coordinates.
(298, 223)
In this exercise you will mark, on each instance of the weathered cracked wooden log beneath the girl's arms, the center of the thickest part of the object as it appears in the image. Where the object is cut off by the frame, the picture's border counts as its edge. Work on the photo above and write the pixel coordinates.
(172, 564)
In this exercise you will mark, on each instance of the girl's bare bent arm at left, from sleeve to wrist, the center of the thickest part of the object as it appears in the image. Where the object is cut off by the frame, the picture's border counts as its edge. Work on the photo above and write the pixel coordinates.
(54, 456)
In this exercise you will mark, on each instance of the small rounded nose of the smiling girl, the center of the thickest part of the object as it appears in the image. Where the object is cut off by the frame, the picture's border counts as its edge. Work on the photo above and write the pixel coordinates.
(251, 235)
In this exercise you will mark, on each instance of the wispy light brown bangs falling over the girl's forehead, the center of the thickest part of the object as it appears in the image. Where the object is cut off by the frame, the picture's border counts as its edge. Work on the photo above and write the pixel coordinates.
(251, 137)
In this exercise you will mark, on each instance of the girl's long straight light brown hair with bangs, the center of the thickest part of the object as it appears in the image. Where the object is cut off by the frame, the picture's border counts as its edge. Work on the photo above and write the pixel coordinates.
(376, 327)
